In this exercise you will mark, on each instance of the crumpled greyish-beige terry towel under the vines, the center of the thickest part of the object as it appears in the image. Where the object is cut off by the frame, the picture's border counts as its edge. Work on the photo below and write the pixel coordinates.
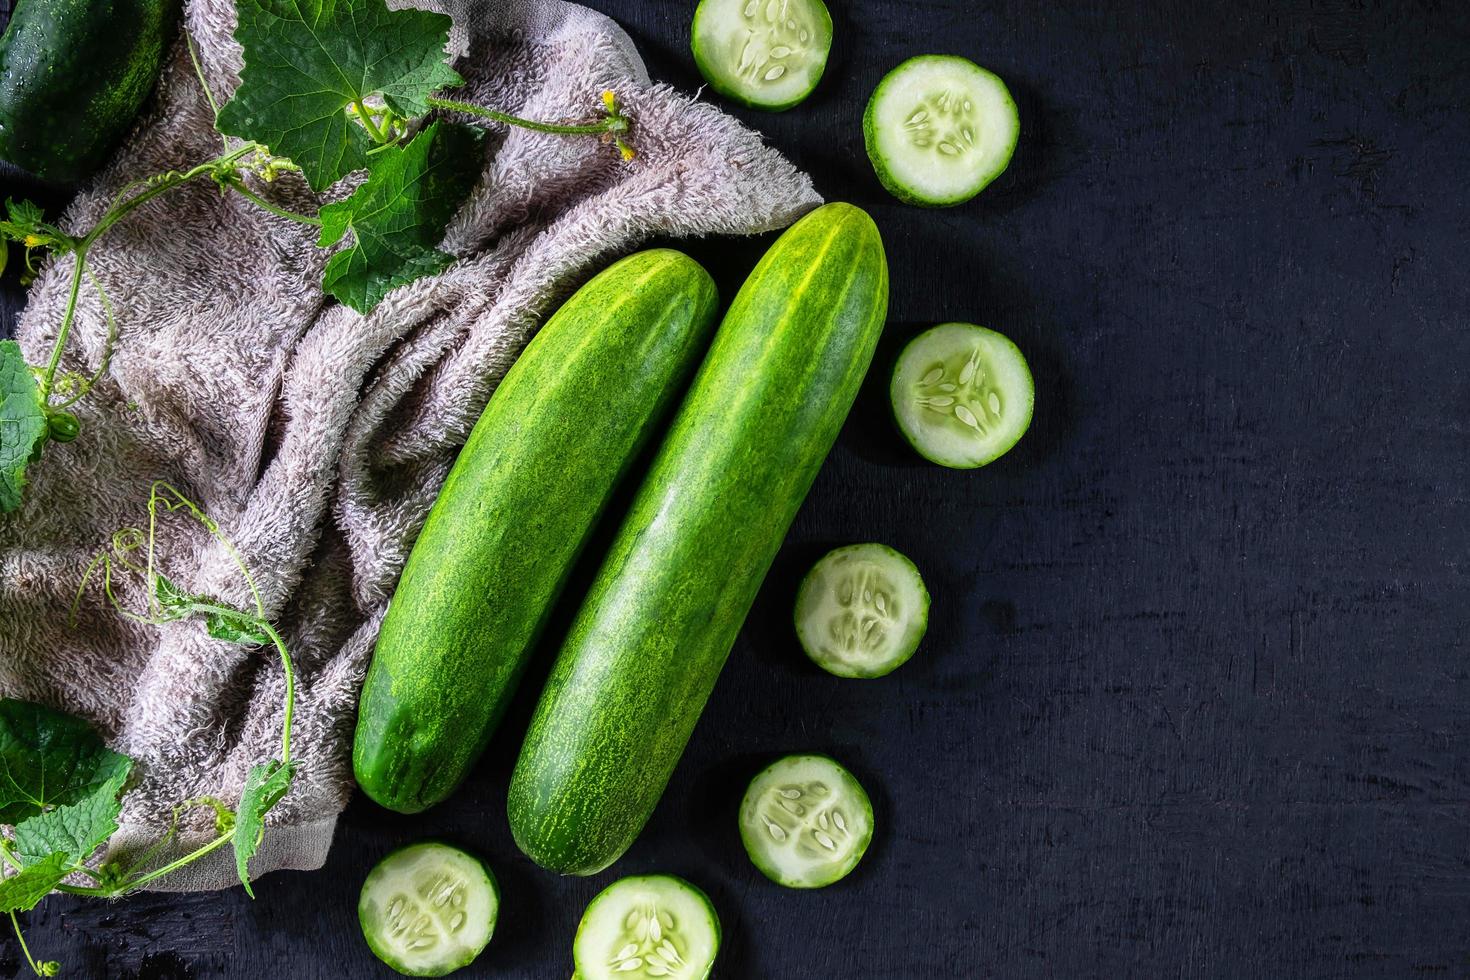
(318, 437)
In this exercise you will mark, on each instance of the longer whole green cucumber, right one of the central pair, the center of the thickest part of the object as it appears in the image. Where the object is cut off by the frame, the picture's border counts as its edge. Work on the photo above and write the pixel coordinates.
(661, 619)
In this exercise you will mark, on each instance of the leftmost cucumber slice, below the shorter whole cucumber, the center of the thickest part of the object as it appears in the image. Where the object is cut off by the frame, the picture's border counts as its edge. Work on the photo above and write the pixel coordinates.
(429, 909)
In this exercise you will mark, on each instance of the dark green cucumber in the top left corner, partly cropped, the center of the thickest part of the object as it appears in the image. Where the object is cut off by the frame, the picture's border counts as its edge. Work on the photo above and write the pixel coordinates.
(74, 76)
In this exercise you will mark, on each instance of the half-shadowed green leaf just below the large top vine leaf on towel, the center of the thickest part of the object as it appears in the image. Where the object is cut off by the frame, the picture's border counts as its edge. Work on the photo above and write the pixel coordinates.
(399, 215)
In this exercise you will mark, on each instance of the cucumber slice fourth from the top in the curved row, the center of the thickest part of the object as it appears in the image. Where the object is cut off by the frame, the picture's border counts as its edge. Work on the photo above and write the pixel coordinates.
(862, 612)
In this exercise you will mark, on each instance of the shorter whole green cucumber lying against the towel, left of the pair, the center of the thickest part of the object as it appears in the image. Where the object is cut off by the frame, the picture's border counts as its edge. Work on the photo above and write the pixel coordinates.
(505, 533)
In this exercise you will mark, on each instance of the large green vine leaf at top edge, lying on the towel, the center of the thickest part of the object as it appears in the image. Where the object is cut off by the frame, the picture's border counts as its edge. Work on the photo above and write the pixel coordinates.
(308, 61)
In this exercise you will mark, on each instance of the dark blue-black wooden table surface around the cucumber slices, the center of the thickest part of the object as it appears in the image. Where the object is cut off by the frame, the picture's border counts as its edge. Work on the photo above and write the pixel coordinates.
(1196, 699)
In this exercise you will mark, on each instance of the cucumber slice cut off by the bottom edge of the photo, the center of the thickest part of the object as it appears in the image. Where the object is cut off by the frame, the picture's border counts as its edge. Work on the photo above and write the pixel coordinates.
(648, 926)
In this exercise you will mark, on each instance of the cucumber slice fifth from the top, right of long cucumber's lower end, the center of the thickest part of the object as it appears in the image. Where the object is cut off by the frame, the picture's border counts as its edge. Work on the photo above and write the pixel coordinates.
(806, 822)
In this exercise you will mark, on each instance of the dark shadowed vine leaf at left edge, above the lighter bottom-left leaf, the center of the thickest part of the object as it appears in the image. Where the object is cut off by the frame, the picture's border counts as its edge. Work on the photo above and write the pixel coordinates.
(51, 759)
